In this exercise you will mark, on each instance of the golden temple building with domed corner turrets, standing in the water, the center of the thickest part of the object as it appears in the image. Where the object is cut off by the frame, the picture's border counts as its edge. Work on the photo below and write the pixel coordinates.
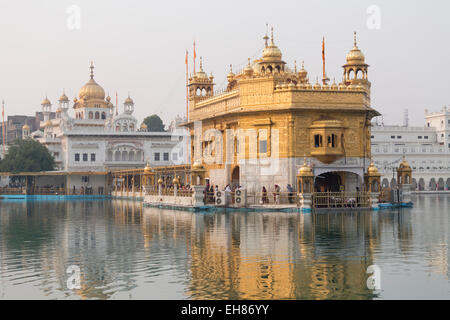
(258, 131)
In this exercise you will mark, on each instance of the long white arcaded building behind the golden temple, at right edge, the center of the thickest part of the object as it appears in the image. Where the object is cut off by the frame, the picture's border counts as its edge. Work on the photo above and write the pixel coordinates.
(427, 149)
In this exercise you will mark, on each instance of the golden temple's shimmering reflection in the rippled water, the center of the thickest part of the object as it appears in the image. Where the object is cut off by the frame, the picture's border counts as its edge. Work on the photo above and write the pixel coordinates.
(270, 260)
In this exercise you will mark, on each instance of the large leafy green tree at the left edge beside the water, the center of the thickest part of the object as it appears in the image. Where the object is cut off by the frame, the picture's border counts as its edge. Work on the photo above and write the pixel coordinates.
(27, 156)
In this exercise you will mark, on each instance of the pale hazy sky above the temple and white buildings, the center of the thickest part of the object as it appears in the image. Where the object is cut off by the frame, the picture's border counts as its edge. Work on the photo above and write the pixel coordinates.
(139, 47)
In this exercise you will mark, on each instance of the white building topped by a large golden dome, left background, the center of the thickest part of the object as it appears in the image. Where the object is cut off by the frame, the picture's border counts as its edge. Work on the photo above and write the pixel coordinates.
(96, 139)
